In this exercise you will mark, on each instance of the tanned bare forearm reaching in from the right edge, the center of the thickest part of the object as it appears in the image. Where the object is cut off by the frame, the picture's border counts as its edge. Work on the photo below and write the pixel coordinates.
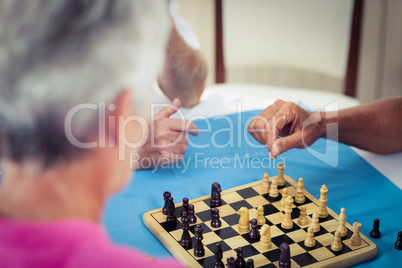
(375, 127)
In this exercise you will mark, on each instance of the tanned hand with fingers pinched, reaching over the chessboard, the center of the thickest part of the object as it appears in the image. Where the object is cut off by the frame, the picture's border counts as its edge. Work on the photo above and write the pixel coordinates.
(297, 127)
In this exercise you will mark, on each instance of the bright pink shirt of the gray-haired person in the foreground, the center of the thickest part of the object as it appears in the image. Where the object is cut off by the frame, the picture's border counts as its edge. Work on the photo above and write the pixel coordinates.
(68, 243)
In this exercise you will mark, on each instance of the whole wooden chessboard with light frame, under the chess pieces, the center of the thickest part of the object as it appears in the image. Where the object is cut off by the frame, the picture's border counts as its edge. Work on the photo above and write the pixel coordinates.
(251, 196)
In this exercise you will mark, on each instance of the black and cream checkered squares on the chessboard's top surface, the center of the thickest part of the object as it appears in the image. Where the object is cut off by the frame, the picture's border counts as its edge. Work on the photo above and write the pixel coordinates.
(230, 238)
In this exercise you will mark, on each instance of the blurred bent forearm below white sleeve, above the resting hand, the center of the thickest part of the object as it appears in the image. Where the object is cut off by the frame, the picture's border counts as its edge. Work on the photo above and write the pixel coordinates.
(184, 72)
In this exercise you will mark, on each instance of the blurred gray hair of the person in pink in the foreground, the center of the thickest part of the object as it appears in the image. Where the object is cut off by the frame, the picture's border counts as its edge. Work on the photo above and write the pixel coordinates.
(56, 54)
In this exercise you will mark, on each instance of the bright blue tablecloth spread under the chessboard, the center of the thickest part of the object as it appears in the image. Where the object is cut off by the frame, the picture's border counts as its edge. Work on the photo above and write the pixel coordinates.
(229, 156)
